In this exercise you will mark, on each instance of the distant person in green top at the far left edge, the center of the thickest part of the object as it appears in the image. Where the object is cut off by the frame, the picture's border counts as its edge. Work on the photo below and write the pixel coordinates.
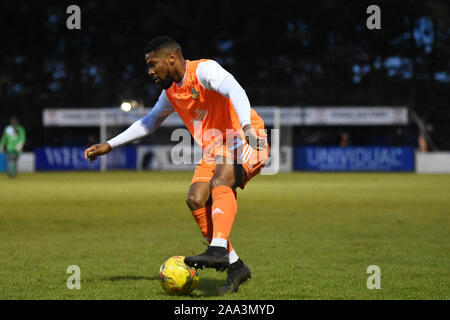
(13, 139)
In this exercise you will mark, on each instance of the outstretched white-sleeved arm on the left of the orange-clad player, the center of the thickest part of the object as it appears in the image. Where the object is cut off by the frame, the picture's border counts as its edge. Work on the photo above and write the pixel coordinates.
(139, 129)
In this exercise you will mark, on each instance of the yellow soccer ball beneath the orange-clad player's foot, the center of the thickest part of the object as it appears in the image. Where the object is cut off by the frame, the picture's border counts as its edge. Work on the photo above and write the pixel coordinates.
(176, 277)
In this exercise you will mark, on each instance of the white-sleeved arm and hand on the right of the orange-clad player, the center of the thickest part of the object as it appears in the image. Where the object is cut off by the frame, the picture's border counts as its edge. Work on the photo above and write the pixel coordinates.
(213, 77)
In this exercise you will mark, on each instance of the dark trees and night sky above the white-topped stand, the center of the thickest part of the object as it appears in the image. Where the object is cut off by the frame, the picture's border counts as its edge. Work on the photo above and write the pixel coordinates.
(283, 53)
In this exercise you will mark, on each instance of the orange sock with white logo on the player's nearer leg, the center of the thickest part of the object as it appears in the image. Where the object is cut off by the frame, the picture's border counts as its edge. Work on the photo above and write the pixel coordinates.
(224, 207)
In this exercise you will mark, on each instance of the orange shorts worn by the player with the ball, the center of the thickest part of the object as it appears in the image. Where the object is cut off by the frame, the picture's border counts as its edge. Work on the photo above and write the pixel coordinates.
(234, 150)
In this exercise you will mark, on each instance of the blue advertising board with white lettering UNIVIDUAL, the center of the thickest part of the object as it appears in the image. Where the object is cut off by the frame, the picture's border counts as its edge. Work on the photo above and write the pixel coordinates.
(354, 159)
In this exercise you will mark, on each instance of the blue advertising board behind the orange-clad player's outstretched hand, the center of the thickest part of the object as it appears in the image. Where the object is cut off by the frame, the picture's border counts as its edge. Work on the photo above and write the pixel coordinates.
(72, 158)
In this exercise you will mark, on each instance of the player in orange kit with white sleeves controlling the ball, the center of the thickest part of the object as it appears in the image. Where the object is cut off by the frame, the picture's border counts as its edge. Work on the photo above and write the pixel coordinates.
(217, 112)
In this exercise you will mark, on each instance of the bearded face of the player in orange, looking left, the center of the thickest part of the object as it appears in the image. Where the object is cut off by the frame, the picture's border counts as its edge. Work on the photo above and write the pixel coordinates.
(159, 68)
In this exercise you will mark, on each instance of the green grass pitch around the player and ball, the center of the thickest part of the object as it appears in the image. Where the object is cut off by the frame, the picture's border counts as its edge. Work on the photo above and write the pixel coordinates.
(304, 235)
